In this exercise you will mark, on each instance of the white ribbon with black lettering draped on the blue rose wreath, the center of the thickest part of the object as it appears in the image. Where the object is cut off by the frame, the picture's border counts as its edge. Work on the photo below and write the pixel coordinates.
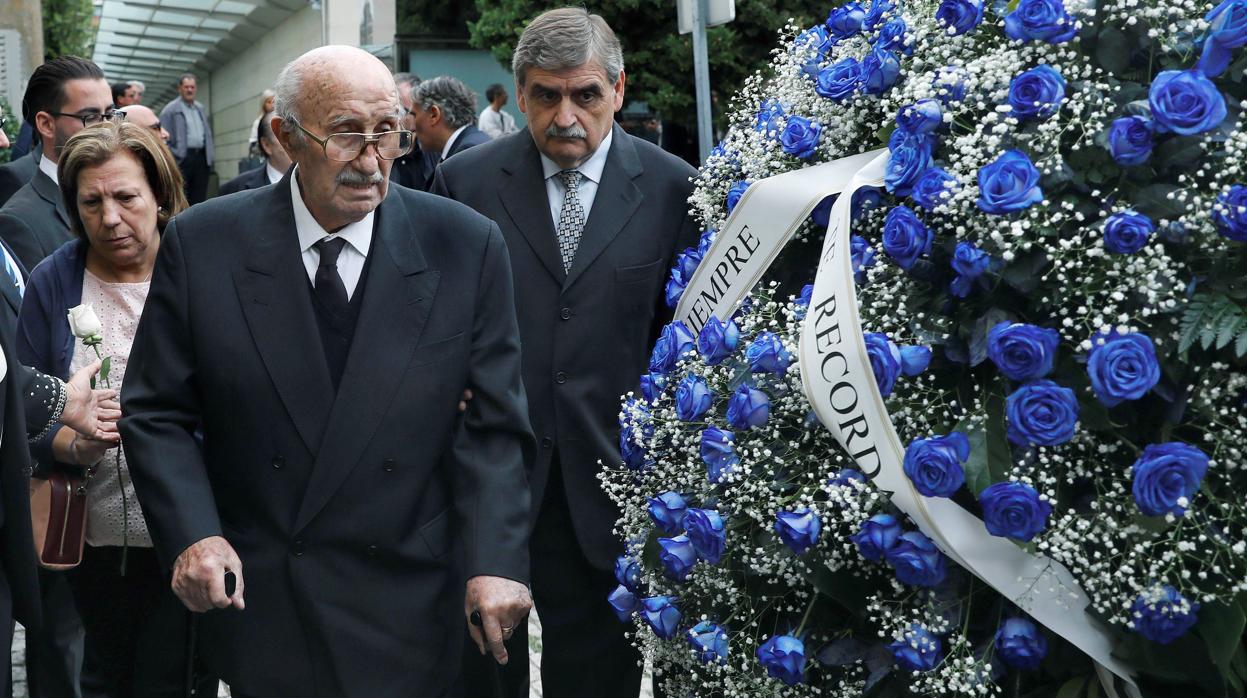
(841, 388)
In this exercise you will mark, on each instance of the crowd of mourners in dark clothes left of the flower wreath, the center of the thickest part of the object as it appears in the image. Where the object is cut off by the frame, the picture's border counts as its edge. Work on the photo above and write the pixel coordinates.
(365, 392)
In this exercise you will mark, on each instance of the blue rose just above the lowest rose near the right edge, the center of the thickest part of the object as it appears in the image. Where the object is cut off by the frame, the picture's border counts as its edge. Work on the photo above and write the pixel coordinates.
(1167, 476)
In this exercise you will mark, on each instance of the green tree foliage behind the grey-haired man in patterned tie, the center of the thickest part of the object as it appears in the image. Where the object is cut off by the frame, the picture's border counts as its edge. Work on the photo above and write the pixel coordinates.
(658, 59)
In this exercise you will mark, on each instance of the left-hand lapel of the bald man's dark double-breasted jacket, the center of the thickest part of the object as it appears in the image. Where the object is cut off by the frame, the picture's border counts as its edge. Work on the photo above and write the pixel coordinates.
(274, 292)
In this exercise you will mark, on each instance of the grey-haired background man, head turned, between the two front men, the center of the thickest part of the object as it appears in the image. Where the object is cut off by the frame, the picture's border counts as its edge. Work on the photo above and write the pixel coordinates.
(445, 118)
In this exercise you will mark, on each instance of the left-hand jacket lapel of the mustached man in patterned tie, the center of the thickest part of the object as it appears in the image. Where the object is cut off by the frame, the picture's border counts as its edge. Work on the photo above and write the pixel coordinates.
(526, 200)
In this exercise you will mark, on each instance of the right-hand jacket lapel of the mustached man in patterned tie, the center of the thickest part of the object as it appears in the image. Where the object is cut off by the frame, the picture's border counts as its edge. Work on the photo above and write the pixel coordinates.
(617, 201)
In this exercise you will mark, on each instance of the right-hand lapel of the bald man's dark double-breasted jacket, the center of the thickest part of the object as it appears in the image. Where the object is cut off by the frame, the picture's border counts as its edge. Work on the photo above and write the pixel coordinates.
(398, 296)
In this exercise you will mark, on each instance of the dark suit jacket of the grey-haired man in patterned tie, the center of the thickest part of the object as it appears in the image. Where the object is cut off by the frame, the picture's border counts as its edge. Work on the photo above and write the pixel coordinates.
(587, 335)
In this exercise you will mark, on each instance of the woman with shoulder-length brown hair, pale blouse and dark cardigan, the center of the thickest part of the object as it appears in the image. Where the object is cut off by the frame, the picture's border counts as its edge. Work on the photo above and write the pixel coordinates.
(123, 188)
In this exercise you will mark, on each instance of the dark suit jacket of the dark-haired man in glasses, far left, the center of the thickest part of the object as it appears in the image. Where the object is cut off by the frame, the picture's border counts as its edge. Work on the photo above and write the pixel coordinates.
(34, 222)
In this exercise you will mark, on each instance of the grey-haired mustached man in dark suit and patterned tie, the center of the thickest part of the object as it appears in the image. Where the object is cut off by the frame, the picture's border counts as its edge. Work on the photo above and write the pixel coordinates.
(593, 219)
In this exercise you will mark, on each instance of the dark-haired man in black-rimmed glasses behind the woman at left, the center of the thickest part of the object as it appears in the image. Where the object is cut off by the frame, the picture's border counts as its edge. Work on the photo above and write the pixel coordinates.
(64, 97)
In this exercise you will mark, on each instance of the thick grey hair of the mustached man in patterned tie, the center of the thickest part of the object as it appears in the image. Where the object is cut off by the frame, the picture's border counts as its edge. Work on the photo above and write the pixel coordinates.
(568, 38)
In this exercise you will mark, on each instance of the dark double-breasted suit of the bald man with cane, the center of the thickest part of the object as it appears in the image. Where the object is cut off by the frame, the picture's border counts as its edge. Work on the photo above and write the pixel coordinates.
(344, 508)
